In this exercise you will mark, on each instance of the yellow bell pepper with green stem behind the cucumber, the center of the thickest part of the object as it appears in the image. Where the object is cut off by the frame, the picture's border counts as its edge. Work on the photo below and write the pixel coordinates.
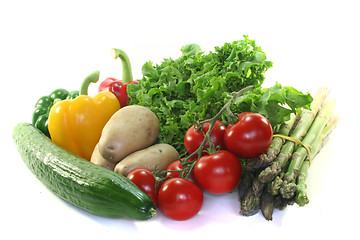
(77, 124)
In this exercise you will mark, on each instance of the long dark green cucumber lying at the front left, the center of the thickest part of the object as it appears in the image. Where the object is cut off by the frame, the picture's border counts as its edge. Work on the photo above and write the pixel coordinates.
(88, 186)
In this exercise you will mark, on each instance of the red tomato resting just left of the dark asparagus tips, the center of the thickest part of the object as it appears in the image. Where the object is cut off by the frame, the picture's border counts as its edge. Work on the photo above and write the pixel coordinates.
(218, 173)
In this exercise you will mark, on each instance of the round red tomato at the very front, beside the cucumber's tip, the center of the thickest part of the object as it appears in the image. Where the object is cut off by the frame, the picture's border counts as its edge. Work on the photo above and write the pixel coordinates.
(180, 199)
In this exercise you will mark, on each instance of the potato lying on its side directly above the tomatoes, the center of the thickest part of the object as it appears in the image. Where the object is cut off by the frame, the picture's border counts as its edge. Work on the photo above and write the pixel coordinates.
(159, 156)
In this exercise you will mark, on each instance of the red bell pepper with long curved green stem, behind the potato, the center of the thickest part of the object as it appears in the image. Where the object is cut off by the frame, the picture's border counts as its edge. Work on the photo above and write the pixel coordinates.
(118, 87)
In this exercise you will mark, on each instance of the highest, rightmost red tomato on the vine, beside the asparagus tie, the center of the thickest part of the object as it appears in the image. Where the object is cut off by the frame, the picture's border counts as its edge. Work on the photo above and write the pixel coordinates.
(250, 136)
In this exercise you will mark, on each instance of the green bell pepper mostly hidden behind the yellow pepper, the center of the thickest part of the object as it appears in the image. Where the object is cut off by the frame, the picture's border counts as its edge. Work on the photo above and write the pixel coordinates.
(44, 104)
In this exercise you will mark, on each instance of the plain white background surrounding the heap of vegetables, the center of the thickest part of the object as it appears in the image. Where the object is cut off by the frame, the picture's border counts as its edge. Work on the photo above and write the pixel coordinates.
(46, 45)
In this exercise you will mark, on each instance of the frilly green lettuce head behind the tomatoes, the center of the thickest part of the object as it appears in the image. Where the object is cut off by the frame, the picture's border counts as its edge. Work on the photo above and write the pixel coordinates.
(196, 85)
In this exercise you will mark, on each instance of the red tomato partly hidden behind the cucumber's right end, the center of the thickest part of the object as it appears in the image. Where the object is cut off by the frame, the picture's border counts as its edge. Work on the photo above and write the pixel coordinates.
(143, 178)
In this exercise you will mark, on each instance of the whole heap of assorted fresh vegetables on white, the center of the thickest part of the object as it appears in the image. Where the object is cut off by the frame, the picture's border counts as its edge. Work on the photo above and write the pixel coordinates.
(199, 123)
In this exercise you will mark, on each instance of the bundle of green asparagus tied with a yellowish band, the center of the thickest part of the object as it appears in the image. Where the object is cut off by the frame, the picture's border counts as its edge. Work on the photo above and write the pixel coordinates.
(277, 178)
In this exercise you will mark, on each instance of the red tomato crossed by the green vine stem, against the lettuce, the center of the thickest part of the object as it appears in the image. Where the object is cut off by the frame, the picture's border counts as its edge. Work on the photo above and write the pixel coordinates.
(193, 138)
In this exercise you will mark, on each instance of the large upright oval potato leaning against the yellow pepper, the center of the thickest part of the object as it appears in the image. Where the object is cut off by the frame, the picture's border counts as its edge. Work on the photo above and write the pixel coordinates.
(130, 129)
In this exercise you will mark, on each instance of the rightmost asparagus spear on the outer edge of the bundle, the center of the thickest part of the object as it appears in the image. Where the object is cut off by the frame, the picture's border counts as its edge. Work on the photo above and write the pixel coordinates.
(301, 195)
